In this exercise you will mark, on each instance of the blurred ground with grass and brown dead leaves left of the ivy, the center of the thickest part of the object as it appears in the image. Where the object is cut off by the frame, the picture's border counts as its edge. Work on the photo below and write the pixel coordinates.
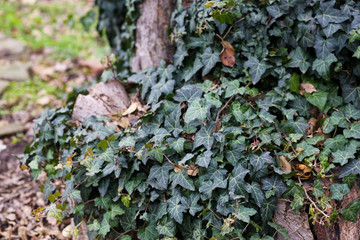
(45, 53)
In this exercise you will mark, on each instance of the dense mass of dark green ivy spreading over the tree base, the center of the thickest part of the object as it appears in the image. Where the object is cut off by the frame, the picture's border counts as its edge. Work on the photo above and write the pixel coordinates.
(231, 125)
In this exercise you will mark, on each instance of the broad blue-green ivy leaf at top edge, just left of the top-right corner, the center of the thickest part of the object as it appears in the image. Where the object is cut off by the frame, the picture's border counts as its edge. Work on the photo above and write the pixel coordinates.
(327, 14)
